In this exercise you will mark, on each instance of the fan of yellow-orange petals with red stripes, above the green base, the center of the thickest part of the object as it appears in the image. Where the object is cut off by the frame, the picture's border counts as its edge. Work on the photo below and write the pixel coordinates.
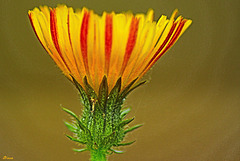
(84, 44)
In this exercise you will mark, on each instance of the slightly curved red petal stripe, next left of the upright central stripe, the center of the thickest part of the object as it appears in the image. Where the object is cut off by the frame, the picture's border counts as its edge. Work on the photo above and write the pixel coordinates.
(83, 38)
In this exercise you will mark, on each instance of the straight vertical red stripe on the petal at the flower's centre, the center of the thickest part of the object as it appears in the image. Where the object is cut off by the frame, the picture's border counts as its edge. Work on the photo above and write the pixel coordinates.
(108, 41)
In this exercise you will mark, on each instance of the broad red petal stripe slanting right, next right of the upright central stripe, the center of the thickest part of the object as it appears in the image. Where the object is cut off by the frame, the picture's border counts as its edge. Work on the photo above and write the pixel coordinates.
(131, 42)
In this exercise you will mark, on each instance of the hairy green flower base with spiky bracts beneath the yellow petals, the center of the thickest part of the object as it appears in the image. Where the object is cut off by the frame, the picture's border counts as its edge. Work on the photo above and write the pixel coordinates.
(102, 124)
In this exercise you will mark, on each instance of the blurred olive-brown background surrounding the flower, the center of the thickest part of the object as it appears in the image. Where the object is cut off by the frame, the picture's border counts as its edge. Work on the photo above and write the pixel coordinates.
(190, 108)
